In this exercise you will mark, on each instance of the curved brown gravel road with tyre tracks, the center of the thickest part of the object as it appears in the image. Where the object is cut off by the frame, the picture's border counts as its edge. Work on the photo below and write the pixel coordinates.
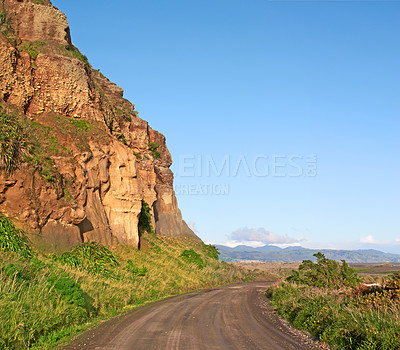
(232, 317)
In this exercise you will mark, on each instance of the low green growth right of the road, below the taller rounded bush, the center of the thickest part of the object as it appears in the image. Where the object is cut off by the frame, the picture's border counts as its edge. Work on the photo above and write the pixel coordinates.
(337, 319)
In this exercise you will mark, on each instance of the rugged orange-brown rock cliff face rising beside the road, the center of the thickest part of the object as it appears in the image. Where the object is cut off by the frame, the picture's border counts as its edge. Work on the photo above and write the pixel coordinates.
(96, 159)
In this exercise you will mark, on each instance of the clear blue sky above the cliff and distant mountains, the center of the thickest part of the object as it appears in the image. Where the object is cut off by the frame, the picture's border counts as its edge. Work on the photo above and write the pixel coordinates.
(282, 117)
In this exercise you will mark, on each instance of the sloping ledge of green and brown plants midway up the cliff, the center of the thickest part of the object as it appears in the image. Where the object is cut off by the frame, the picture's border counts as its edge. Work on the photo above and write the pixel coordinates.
(37, 142)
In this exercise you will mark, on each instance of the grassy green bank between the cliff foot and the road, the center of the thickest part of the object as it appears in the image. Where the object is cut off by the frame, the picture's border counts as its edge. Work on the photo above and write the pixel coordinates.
(46, 299)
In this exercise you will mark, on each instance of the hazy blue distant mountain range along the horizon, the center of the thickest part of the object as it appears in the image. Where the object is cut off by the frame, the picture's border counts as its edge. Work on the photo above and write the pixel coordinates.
(269, 253)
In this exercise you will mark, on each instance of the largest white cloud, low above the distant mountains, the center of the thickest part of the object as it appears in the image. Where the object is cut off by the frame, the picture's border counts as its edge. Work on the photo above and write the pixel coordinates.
(259, 236)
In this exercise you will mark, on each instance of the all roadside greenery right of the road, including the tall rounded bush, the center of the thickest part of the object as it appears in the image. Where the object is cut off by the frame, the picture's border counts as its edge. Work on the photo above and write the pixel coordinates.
(329, 300)
